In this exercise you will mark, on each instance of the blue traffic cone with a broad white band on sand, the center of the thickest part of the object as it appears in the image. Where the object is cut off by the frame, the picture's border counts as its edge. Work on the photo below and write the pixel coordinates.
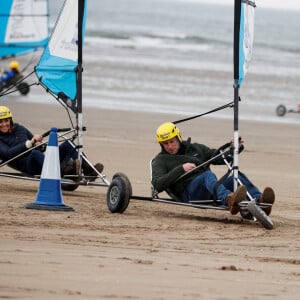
(49, 196)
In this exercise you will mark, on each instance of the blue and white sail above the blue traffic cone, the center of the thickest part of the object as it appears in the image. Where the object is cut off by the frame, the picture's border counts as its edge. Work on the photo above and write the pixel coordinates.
(57, 69)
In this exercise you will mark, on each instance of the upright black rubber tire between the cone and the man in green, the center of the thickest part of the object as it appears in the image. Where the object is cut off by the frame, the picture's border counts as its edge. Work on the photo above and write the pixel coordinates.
(118, 194)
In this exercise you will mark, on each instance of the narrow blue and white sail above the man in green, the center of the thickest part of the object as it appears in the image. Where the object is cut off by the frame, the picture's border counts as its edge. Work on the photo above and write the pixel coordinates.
(244, 34)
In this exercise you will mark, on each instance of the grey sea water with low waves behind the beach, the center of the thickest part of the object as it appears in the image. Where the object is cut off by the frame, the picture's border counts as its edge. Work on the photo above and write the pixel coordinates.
(176, 57)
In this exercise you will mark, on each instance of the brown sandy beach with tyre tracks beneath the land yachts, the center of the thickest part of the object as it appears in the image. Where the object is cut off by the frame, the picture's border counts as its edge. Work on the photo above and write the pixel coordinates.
(152, 250)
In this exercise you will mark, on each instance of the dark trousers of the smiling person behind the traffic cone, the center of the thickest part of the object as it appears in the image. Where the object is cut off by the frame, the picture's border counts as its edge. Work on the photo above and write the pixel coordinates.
(35, 160)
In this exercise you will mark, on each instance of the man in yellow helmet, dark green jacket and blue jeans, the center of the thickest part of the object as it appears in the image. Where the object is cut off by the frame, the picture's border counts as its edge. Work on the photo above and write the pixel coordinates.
(178, 156)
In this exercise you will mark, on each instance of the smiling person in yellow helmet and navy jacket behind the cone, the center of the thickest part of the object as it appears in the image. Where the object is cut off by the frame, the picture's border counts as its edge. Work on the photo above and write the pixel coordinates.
(15, 139)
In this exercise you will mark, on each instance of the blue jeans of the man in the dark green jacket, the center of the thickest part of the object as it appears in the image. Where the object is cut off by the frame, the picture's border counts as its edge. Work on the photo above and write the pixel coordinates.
(202, 187)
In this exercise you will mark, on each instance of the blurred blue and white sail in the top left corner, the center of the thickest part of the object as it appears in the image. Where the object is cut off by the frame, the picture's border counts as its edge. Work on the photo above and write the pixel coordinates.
(24, 26)
